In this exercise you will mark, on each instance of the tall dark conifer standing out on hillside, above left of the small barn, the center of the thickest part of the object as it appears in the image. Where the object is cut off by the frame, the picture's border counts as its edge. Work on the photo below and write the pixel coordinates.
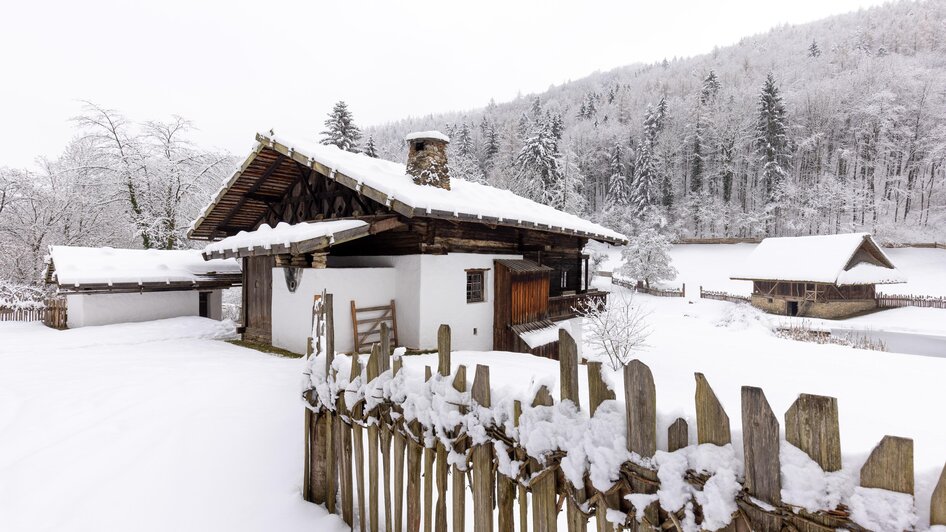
(771, 138)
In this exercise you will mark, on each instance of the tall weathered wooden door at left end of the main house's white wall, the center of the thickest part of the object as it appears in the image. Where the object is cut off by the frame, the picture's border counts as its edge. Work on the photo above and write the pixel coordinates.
(258, 299)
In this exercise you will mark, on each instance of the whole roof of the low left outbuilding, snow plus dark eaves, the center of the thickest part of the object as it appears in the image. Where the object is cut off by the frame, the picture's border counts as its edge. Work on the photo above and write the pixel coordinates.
(87, 269)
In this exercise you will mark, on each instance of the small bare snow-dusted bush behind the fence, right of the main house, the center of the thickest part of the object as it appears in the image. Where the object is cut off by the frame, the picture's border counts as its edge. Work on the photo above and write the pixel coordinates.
(615, 330)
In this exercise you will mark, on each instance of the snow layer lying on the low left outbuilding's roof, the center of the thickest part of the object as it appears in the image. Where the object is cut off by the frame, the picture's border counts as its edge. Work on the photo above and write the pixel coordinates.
(76, 266)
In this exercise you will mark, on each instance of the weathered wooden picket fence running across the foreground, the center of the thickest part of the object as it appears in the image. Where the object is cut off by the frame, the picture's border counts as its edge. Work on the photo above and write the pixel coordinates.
(434, 466)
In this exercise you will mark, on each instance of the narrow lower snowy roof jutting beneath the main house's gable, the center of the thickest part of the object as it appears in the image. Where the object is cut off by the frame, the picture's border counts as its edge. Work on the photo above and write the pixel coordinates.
(288, 238)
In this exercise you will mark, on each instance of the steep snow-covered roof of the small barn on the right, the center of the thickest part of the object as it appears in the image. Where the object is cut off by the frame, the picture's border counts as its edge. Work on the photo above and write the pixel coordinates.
(848, 259)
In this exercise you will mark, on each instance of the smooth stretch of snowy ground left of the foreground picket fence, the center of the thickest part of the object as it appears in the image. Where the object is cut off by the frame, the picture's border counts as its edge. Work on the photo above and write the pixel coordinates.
(152, 426)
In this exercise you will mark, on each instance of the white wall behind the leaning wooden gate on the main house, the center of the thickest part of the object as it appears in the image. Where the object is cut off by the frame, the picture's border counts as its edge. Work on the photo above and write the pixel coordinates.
(292, 311)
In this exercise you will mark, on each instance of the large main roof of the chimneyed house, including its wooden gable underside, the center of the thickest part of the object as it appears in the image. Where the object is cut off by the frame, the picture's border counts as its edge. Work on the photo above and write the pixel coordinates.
(271, 170)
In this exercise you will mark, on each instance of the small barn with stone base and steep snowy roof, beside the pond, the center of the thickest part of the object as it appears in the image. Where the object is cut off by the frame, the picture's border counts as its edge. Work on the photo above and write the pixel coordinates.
(829, 276)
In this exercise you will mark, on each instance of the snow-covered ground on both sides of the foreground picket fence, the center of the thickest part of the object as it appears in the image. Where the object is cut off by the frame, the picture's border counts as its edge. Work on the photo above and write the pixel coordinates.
(161, 426)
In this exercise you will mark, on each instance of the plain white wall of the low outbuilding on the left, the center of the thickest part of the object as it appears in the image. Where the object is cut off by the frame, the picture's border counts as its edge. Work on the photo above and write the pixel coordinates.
(103, 309)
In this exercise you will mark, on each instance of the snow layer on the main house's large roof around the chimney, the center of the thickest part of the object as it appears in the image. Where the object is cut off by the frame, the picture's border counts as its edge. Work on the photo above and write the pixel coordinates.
(463, 198)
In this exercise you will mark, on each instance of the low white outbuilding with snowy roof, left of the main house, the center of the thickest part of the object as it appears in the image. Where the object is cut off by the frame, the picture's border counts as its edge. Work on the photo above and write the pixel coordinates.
(102, 286)
